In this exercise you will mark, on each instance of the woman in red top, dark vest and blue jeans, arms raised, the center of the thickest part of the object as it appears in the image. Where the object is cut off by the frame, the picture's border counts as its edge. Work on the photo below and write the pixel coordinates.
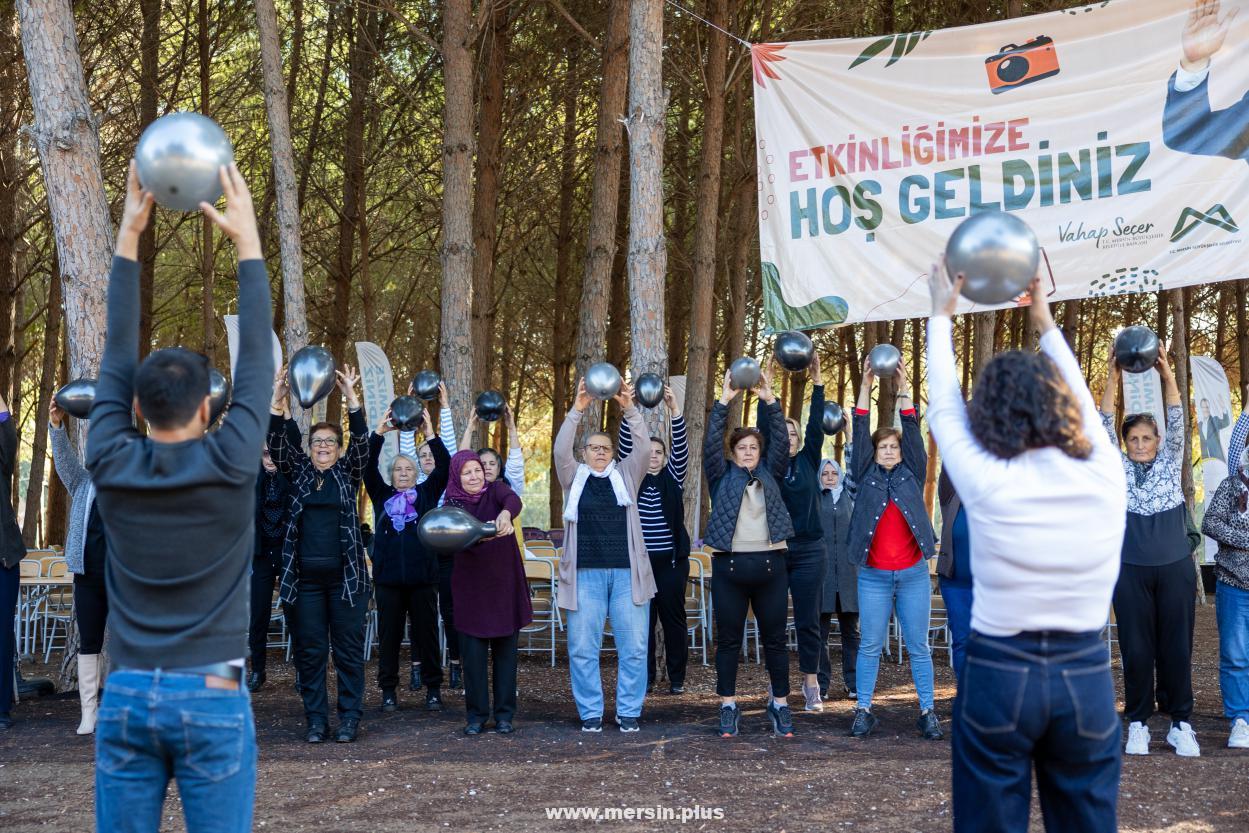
(892, 540)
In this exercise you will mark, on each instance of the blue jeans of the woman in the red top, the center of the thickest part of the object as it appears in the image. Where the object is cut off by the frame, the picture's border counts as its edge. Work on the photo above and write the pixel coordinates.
(881, 593)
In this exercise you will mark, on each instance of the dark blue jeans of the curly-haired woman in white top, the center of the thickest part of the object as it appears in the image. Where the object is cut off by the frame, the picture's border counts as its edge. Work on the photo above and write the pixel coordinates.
(1042, 700)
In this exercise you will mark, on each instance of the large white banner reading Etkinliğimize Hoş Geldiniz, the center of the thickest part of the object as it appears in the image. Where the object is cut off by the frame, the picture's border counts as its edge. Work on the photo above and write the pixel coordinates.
(871, 152)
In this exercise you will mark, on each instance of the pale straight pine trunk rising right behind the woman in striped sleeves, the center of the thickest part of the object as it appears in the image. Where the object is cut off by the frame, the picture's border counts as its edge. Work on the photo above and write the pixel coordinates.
(648, 250)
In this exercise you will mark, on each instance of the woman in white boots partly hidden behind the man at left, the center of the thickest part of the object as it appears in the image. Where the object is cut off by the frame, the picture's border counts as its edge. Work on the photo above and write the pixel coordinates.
(86, 551)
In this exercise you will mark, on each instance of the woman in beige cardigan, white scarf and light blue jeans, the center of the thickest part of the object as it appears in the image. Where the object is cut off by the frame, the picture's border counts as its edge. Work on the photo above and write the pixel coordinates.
(605, 573)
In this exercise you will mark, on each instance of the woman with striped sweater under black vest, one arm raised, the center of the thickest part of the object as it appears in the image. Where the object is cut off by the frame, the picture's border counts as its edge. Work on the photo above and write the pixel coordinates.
(660, 505)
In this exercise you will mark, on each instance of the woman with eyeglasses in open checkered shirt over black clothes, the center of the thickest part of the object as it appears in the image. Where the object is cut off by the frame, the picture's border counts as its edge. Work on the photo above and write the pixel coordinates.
(324, 575)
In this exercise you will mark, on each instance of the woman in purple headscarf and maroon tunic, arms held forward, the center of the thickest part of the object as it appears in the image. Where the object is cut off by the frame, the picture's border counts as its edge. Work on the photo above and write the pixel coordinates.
(491, 595)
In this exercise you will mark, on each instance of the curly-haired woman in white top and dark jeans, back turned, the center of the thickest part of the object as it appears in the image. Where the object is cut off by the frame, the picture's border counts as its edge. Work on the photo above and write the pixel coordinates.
(1046, 501)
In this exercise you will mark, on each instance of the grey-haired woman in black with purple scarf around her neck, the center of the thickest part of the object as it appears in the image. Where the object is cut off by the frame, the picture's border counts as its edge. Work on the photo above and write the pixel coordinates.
(405, 574)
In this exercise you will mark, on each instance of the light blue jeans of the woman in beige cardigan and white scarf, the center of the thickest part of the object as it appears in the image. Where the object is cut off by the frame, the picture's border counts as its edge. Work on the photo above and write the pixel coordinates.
(601, 595)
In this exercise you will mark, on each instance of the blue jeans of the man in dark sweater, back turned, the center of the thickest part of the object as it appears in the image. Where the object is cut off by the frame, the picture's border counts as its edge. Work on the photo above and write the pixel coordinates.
(156, 726)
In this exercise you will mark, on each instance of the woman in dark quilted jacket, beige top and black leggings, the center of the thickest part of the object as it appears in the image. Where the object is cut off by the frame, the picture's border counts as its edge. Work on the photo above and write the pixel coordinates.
(749, 528)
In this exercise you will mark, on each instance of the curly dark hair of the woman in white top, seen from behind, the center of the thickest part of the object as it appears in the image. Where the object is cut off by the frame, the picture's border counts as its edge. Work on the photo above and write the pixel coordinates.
(1021, 403)
